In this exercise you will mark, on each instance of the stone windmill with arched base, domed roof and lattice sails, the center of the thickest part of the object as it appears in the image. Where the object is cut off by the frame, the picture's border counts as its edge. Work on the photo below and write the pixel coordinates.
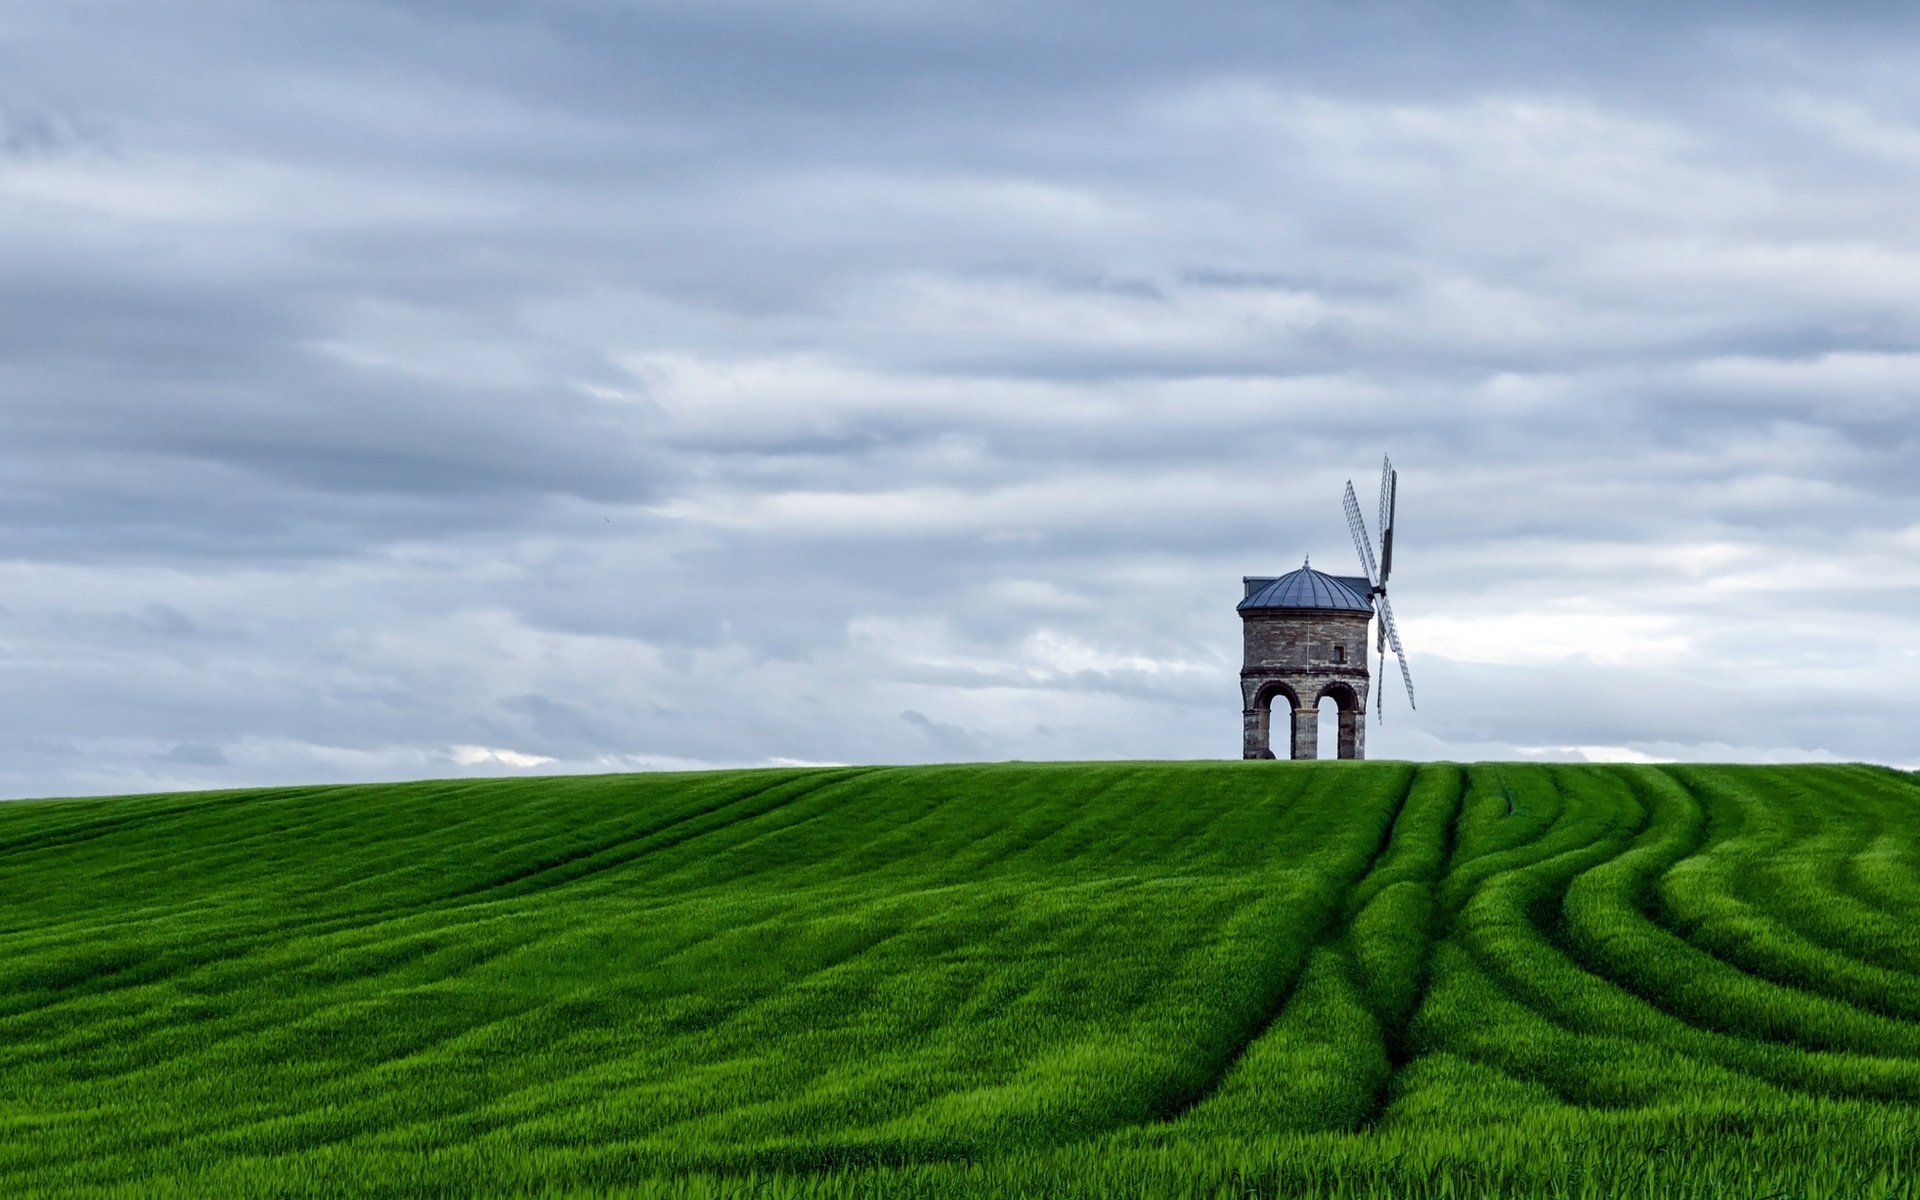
(1307, 640)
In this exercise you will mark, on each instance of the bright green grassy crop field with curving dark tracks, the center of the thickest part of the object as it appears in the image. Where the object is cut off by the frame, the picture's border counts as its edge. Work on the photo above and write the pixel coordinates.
(1065, 980)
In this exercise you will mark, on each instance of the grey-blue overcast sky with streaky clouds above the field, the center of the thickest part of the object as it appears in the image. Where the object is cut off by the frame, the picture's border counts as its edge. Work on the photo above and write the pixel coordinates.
(456, 387)
